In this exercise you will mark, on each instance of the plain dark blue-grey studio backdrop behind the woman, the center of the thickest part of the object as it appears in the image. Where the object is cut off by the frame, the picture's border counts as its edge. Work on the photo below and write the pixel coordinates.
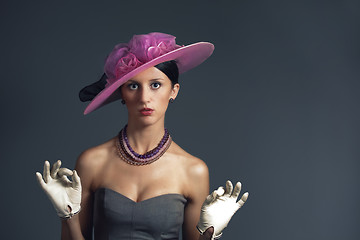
(276, 106)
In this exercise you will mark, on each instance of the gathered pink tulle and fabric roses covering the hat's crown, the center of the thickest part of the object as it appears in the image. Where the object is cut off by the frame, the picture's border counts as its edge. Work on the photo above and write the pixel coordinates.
(141, 49)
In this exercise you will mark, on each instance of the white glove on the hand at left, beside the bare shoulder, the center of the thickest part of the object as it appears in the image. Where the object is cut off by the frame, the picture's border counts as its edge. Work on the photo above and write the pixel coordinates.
(64, 194)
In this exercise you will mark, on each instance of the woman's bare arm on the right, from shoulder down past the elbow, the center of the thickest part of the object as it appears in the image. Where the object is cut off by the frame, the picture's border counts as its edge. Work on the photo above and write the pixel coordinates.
(198, 188)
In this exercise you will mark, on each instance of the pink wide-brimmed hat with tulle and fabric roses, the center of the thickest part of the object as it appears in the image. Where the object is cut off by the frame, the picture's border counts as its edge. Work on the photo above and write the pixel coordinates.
(144, 51)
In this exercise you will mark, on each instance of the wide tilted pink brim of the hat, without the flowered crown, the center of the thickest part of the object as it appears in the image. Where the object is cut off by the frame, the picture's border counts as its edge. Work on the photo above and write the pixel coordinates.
(186, 57)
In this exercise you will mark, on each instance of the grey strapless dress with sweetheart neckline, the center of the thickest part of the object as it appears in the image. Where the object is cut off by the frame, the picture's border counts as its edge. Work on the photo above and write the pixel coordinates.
(118, 217)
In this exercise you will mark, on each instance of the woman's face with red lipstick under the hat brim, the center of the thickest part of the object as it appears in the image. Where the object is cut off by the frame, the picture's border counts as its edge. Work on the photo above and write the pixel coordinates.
(147, 96)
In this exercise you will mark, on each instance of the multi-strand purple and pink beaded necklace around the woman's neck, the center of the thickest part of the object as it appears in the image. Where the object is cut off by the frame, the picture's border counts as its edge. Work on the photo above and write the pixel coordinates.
(127, 154)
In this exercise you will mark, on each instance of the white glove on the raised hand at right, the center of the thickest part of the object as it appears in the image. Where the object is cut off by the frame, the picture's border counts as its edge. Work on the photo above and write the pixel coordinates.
(219, 207)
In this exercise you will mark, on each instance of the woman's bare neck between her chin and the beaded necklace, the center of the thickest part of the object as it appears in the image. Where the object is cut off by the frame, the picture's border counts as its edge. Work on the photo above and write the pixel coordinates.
(144, 138)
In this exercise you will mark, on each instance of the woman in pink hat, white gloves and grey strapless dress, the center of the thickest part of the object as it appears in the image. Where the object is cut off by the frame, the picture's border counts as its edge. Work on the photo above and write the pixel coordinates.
(140, 184)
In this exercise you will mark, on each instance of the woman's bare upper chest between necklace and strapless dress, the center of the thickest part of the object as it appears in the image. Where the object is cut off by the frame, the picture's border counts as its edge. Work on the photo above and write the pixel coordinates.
(166, 175)
